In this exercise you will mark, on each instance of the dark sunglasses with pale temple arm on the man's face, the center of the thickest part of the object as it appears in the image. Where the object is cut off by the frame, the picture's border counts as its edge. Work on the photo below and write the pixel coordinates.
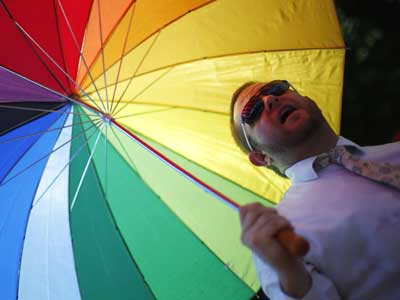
(254, 107)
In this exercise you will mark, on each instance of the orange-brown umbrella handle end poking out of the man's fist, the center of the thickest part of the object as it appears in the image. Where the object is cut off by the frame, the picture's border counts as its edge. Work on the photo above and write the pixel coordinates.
(294, 243)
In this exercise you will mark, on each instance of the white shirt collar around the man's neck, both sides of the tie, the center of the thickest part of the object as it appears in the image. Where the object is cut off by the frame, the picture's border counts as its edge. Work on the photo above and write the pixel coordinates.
(304, 171)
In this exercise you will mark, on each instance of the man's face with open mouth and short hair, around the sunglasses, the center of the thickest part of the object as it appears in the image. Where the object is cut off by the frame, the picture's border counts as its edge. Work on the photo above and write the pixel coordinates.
(285, 121)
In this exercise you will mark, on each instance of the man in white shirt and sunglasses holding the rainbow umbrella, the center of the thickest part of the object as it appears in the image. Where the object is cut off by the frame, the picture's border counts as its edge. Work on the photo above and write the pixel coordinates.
(350, 221)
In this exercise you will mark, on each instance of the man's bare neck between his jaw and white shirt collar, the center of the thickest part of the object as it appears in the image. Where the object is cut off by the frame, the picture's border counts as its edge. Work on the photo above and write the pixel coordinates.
(321, 141)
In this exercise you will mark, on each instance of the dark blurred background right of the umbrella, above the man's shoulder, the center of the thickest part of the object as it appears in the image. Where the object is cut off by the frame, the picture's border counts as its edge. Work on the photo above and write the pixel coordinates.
(371, 106)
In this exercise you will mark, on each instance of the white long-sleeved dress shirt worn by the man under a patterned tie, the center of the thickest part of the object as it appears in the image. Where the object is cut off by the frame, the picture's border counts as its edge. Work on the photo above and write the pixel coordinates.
(352, 225)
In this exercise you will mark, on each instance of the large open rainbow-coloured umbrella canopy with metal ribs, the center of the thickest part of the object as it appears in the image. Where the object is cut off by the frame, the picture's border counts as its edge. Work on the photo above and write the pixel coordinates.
(117, 162)
